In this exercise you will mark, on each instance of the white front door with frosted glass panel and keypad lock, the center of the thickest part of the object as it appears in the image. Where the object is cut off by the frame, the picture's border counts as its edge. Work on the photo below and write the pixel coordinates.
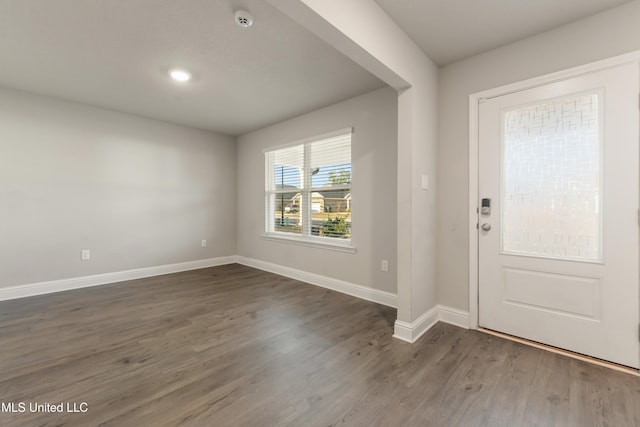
(559, 244)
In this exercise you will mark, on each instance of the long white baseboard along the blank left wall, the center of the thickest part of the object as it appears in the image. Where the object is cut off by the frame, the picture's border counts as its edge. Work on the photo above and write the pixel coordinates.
(32, 289)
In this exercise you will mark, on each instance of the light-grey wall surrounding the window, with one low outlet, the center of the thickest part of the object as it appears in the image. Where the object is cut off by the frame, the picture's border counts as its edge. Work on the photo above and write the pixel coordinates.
(373, 117)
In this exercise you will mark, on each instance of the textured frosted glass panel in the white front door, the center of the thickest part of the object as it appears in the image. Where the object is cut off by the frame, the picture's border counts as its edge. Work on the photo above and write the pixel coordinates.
(552, 179)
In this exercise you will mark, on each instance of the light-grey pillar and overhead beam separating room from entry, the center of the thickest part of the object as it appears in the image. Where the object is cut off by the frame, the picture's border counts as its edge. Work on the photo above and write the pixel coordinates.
(378, 44)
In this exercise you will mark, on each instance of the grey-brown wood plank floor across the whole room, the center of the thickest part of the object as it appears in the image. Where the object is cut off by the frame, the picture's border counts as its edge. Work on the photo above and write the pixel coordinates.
(235, 346)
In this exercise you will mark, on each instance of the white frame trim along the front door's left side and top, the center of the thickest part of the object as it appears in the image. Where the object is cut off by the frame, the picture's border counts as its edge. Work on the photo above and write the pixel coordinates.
(474, 168)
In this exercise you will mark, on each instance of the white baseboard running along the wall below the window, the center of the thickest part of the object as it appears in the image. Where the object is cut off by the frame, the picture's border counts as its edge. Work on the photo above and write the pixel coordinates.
(381, 297)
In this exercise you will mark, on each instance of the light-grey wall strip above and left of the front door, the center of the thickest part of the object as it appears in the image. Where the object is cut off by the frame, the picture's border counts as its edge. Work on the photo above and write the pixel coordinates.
(605, 35)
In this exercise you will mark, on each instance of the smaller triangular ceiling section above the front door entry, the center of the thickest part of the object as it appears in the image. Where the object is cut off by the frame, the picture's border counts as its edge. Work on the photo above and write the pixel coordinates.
(450, 30)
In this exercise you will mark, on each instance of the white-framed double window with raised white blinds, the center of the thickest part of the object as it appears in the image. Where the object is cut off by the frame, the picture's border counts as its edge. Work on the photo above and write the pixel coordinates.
(308, 189)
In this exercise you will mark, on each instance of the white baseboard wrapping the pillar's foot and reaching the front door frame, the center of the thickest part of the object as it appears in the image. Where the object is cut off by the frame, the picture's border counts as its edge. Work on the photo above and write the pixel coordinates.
(411, 332)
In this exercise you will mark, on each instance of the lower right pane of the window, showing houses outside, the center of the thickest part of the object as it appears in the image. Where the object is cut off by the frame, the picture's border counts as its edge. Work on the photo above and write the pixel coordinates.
(331, 213)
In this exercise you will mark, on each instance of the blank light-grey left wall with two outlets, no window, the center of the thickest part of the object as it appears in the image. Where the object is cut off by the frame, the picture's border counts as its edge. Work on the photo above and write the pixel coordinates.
(136, 192)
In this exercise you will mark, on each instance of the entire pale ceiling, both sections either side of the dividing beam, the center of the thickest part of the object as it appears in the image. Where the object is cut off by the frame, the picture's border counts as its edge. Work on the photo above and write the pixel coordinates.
(116, 54)
